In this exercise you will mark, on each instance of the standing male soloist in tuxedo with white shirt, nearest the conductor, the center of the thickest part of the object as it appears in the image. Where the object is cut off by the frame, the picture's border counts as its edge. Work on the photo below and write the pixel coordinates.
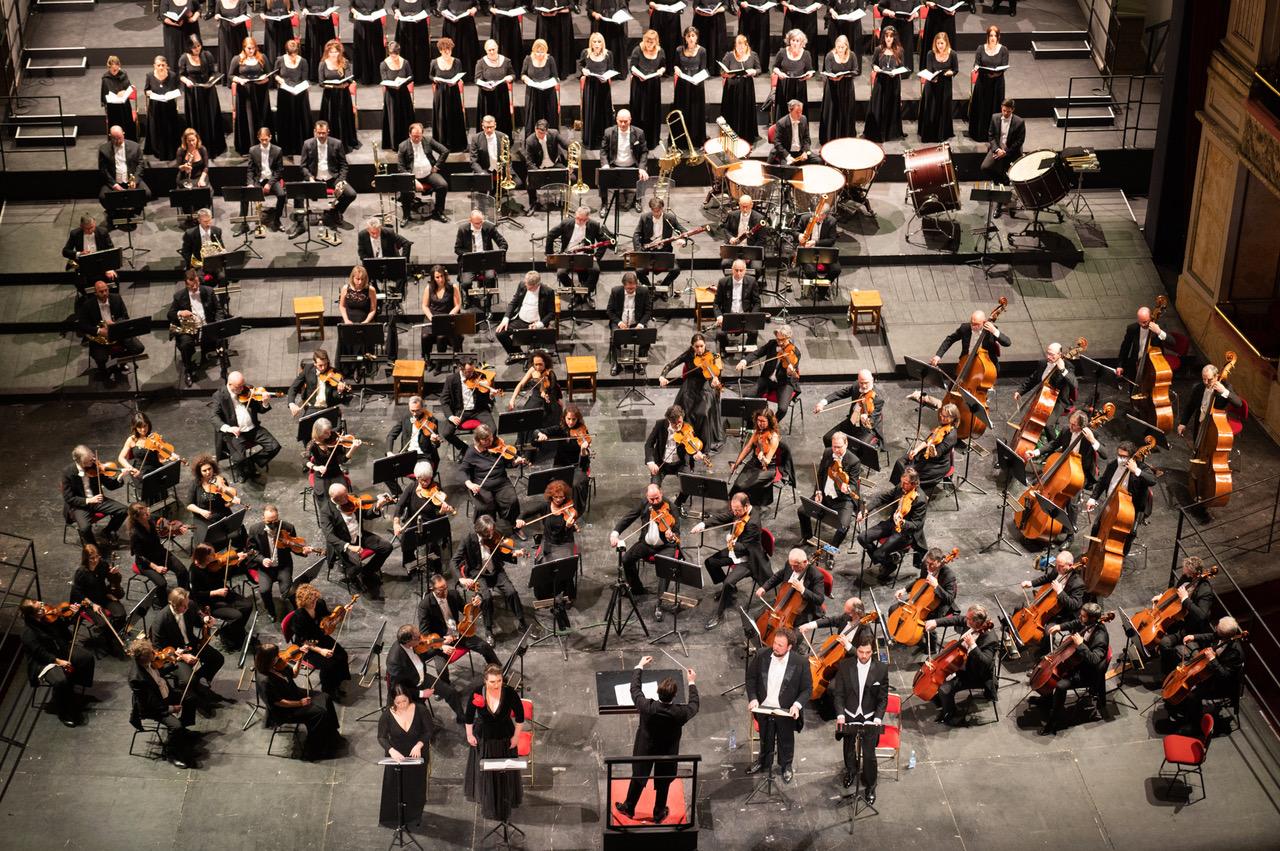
(779, 680)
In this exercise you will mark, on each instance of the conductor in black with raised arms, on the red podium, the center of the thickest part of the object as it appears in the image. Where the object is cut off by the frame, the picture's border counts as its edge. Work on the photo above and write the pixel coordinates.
(657, 735)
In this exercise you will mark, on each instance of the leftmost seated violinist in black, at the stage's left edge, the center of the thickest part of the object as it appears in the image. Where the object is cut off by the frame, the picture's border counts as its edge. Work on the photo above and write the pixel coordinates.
(53, 661)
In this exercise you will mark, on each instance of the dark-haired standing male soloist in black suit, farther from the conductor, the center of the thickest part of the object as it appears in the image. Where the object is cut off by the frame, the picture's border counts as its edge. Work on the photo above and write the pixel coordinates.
(861, 696)
